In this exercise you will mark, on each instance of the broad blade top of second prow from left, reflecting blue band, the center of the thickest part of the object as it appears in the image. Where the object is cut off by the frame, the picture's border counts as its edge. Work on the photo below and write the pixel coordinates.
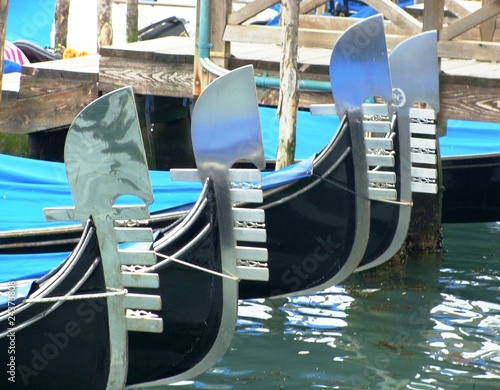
(225, 126)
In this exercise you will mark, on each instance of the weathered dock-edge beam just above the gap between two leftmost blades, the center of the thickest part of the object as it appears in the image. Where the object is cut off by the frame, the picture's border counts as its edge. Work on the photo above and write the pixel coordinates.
(147, 77)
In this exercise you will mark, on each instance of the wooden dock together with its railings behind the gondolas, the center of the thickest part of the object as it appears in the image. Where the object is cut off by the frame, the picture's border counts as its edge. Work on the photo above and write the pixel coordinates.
(47, 96)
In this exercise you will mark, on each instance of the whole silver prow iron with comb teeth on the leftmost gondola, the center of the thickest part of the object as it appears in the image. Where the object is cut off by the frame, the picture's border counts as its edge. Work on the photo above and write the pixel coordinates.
(105, 160)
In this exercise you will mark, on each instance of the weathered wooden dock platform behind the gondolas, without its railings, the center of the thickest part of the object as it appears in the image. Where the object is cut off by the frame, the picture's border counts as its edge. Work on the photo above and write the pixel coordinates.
(49, 95)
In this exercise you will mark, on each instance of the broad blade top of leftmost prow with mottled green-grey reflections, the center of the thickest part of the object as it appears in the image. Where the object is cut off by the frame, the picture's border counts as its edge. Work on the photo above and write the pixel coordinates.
(104, 154)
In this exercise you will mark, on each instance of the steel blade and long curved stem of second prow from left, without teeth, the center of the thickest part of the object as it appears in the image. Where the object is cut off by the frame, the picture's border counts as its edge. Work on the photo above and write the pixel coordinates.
(225, 128)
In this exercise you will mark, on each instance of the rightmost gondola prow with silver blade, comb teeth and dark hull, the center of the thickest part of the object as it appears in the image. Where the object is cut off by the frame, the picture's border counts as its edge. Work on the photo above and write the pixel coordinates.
(414, 81)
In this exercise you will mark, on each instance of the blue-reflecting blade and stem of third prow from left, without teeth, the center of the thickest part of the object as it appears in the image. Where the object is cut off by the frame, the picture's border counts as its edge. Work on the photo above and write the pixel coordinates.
(359, 69)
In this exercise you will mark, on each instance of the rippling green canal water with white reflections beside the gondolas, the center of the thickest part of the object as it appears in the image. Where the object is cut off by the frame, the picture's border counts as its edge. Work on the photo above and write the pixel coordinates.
(431, 323)
